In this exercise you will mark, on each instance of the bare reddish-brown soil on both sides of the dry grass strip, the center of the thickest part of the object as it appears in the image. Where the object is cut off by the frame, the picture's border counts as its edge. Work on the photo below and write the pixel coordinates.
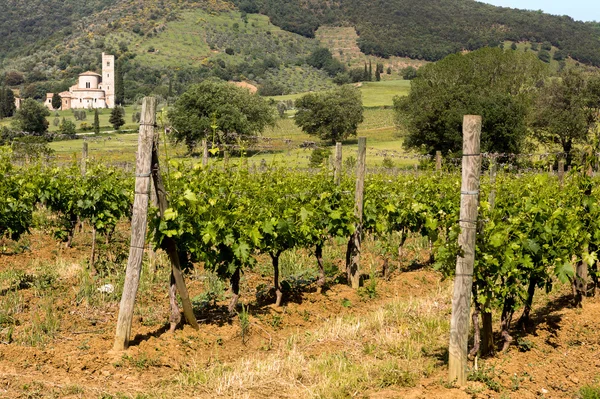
(563, 355)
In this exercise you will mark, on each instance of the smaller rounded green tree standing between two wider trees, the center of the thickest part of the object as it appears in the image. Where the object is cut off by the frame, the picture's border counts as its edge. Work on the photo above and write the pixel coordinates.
(332, 115)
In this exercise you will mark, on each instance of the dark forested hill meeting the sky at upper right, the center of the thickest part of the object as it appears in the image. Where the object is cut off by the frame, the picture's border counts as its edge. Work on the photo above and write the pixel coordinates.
(432, 29)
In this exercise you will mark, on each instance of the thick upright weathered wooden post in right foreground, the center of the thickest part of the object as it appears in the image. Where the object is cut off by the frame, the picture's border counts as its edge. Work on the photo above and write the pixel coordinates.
(463, 280)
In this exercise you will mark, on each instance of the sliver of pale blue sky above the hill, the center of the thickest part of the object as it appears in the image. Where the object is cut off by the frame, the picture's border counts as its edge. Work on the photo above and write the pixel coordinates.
(582, 10)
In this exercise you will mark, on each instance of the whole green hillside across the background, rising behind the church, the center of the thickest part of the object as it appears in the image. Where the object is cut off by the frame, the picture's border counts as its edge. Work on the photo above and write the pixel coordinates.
(163, 46)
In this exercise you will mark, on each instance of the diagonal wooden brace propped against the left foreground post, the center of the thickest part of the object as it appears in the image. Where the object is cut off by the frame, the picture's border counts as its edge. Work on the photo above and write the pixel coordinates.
(170, 247)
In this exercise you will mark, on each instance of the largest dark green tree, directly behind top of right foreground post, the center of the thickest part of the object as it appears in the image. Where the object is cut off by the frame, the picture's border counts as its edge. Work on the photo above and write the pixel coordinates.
(490, 82)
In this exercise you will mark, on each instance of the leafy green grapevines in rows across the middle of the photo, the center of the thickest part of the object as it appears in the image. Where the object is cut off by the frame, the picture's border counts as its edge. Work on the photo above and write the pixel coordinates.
(534, 234)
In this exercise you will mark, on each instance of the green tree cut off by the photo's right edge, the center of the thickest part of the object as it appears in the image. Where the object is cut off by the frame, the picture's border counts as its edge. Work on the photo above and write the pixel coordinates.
(566, 108)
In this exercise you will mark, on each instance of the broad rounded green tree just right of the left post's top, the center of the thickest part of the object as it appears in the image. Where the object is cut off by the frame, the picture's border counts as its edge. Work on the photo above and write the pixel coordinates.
(218, 111)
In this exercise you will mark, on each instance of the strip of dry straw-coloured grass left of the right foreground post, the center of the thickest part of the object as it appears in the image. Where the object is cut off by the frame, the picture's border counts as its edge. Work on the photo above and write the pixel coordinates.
(395, 345)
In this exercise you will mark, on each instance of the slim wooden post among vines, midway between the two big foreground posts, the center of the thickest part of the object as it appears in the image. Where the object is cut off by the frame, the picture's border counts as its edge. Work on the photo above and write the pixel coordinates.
(354, 246)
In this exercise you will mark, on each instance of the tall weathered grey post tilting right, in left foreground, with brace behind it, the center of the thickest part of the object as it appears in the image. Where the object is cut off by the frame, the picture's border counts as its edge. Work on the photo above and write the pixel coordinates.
(138, 223)
